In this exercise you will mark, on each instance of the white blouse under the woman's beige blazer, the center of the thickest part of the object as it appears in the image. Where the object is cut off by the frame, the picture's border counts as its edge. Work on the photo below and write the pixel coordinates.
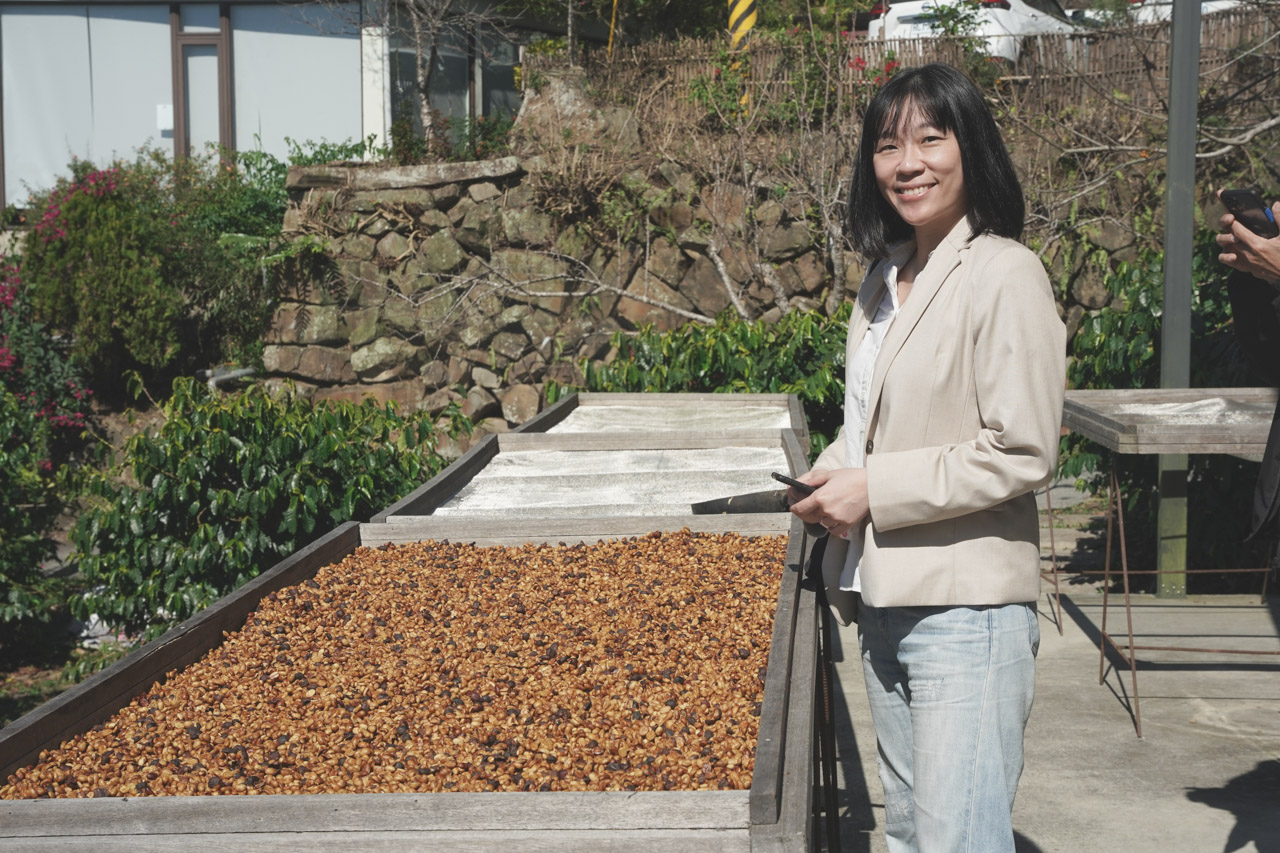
(858, 390)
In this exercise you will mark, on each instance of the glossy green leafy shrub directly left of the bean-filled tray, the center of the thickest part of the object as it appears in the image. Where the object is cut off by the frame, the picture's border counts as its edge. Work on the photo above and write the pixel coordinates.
(231, 486)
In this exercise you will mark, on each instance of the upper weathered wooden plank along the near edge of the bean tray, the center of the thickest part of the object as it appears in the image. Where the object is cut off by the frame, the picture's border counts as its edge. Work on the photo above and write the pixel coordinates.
(561, 811)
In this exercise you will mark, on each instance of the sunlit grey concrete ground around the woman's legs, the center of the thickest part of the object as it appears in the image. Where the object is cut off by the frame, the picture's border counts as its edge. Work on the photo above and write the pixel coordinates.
(1204, 778)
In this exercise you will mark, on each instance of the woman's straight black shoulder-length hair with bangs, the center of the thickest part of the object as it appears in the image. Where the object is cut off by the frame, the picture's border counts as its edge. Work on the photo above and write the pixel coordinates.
(950, 102)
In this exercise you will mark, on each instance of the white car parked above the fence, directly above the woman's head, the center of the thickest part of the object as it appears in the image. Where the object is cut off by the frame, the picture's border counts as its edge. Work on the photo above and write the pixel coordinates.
(1000, 24)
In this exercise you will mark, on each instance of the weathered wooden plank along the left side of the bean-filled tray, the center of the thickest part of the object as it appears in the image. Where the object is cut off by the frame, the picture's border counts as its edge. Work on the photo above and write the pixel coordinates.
(103, 695)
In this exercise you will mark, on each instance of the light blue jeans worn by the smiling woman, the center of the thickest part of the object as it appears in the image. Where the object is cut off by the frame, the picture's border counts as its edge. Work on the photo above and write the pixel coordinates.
(950, 692)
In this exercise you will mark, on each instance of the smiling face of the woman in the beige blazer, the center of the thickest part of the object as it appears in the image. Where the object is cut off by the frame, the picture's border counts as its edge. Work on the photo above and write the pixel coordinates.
(920, 174)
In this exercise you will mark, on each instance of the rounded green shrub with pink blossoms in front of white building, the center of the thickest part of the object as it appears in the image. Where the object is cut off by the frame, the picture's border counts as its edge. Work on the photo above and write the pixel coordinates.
(124, 261)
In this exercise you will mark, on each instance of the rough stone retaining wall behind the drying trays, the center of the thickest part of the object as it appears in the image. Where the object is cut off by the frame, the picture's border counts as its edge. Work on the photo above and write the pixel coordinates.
(449, 284)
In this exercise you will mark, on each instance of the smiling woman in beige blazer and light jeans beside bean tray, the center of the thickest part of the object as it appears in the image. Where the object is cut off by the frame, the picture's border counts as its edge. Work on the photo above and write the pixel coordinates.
(954, 395)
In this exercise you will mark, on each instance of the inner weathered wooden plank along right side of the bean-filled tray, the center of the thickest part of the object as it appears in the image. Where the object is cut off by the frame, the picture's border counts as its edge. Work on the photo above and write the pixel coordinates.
(769, 770)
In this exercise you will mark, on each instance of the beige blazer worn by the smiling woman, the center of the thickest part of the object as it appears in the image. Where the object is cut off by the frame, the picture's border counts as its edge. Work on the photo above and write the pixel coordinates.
(963, 426)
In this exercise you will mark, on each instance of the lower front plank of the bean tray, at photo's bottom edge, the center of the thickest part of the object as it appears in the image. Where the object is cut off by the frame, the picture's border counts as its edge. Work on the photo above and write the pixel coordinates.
(385, 842)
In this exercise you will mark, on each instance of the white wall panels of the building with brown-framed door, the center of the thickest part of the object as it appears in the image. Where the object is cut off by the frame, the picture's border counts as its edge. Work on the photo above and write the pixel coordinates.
(86, 81)
